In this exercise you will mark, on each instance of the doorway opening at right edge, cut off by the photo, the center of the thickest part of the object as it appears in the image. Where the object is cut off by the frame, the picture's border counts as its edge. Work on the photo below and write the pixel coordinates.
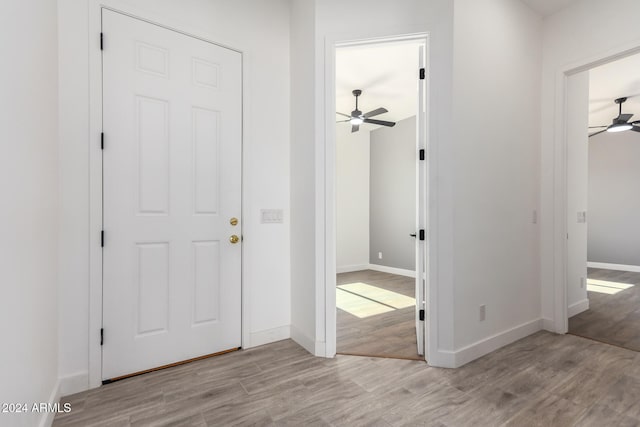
(603, 288)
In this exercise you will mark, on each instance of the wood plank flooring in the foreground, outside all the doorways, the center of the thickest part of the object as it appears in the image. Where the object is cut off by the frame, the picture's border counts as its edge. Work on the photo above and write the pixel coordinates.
(542, 380)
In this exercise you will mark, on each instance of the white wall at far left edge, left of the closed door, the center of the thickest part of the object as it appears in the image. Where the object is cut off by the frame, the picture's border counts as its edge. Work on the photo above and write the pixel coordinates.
(28, 218)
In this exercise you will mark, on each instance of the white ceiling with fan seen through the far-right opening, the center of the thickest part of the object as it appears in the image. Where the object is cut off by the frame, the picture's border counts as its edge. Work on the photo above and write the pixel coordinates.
(610, 81)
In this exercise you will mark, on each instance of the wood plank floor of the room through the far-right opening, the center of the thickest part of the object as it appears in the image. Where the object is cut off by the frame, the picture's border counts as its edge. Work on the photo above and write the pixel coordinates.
(613, 319)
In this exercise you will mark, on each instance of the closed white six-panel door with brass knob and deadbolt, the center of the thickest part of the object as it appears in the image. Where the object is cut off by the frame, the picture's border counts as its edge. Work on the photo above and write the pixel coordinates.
(172, 183)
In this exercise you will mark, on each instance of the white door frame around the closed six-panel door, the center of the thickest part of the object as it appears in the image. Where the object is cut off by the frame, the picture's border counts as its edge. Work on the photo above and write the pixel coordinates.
(95, 164)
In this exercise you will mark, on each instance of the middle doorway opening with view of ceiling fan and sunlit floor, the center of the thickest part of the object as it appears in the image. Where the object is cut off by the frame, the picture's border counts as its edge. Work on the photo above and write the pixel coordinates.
(380, 203)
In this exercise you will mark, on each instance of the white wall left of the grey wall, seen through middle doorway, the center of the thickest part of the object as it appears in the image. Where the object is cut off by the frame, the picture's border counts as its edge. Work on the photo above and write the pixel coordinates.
(352, 198)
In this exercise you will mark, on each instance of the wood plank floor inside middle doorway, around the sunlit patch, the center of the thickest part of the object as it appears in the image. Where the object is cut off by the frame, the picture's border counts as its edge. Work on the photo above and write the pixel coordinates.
(390, 334)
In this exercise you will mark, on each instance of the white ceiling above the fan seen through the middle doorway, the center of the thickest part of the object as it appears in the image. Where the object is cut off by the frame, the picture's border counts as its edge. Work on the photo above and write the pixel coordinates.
(386, 73)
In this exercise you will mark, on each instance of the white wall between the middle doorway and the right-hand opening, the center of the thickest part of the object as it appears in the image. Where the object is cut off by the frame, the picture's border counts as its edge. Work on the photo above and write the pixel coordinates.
(496, 103)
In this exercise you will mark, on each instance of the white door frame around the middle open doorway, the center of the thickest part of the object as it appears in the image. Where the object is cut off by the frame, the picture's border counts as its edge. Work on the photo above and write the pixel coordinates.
(326, 257)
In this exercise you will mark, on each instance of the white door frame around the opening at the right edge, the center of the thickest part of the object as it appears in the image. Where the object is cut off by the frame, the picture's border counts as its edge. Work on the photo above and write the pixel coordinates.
(560, 203)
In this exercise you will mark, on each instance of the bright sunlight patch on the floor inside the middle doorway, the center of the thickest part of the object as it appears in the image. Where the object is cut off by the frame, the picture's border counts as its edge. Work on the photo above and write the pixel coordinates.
(363, 300)
